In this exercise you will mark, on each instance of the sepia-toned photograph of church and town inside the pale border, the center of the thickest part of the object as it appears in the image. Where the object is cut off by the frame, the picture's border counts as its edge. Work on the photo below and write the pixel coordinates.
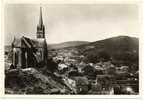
(71, 49)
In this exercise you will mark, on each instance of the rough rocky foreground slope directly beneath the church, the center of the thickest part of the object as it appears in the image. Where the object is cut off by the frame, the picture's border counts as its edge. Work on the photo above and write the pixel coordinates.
(32, 81)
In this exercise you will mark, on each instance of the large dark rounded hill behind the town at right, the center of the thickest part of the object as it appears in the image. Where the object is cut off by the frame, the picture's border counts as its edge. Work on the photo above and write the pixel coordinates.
(122, 49)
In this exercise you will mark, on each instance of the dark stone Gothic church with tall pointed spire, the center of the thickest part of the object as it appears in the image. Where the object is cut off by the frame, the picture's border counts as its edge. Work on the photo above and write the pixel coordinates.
(27, 52)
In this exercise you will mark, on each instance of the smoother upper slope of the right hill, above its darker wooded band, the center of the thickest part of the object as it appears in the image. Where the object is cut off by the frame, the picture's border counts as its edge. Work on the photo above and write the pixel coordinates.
(115, 44)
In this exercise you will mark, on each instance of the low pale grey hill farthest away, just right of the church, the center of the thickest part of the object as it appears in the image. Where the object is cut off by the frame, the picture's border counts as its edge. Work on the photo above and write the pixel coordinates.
(67, 44)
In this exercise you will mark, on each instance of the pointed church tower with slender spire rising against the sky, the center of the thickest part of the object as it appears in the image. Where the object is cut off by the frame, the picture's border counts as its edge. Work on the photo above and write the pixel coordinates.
(40, 26)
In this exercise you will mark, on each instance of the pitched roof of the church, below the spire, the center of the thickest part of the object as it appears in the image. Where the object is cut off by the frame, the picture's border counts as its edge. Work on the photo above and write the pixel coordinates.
(25, 42)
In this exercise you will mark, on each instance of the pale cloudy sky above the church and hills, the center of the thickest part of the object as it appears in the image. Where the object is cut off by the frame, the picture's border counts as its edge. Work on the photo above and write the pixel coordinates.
(71, 22)
